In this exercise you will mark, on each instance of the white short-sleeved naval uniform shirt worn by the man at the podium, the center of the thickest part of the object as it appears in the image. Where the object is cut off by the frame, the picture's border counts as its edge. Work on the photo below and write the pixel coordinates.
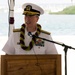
(13, 47)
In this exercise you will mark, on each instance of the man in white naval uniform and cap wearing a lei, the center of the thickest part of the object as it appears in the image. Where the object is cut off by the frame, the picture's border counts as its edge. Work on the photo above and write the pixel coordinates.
(21, 43)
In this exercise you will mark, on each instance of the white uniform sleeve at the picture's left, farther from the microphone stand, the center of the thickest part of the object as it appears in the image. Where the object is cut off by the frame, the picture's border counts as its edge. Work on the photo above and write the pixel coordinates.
(9, 46)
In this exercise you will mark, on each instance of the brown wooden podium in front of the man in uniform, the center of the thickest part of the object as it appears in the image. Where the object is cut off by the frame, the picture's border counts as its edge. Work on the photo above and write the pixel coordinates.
(31, 64)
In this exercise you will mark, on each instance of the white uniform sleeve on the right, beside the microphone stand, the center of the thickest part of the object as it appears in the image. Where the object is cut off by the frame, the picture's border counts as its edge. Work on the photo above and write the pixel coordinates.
(50, 47)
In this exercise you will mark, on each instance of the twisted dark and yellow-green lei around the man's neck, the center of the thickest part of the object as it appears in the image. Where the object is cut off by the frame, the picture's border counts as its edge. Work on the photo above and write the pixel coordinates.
(32, 42)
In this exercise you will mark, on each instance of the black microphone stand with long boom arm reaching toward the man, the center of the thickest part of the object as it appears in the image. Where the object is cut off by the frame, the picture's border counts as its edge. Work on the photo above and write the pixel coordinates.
(62, 44)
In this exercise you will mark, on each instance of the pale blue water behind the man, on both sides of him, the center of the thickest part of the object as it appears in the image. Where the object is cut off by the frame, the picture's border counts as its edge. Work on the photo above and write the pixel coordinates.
(56, 24)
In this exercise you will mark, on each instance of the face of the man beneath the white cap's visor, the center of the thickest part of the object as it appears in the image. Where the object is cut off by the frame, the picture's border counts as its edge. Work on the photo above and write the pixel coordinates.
(31, 20)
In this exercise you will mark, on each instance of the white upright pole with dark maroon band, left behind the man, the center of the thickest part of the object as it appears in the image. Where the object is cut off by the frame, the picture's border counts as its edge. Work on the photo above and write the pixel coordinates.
(11, 4)
